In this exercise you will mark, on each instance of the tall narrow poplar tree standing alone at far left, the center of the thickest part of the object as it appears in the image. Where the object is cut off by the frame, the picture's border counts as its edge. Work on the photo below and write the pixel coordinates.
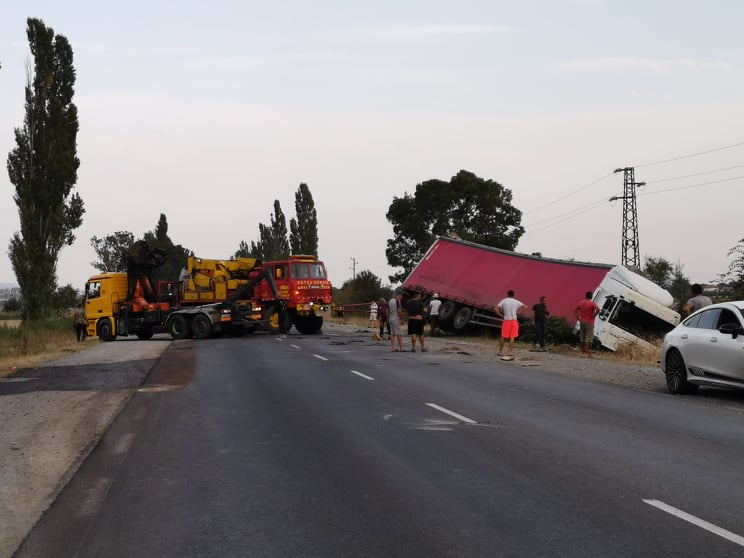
(43, 168)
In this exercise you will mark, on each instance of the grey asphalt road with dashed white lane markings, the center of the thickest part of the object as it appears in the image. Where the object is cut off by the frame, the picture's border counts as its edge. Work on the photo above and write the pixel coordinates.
(334, 446)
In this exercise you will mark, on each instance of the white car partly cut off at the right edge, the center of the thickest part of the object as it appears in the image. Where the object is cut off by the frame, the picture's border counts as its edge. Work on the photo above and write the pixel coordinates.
(707, 348)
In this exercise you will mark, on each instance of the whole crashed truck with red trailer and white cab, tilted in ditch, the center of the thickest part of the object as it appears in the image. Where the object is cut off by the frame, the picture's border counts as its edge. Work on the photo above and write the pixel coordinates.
(471, 279)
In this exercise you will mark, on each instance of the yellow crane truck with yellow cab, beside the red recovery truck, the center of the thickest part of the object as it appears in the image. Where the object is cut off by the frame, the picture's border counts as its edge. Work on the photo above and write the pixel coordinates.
(212, 297)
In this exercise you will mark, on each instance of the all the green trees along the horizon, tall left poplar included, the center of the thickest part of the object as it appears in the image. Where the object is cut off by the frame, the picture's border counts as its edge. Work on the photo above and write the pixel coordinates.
(43, 169)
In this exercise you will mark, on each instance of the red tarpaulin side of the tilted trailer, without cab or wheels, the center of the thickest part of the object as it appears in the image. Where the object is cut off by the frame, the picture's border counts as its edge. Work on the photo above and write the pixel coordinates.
(480, 276)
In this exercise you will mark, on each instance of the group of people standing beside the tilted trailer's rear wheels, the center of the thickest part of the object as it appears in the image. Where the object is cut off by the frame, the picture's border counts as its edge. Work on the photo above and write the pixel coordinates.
(385, 314)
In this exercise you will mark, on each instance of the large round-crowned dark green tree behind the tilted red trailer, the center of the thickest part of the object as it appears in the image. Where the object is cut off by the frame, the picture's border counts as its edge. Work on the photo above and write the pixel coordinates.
(466, 207)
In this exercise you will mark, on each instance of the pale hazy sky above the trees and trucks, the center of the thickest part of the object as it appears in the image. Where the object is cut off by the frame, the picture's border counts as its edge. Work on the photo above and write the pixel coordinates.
(207, 112)
